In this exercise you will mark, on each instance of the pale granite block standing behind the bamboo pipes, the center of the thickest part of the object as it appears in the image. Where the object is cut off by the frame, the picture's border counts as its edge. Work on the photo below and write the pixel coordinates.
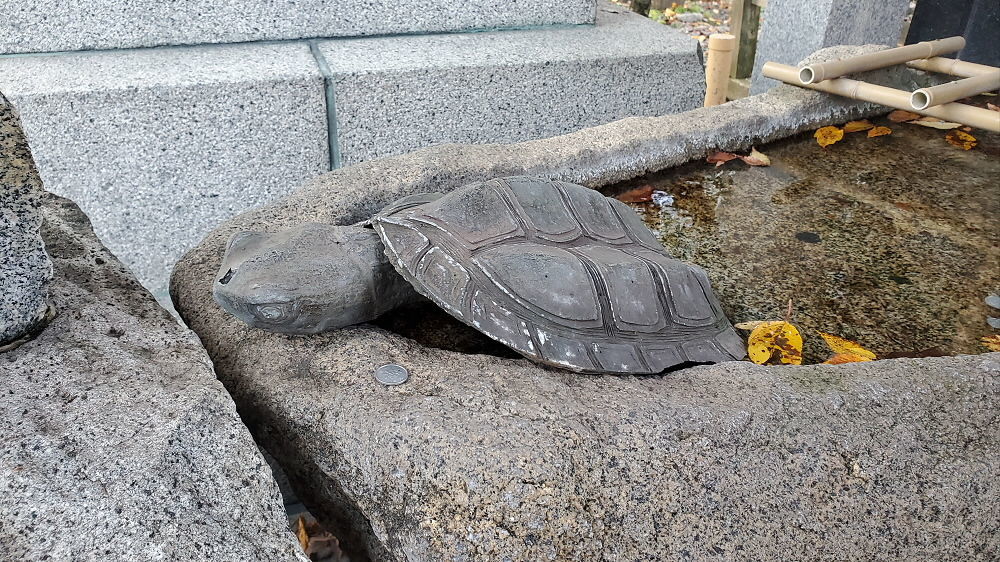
(793, 29)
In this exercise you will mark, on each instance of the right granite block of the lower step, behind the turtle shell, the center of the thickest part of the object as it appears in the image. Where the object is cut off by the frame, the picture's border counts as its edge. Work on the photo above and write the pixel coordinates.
(394, 95)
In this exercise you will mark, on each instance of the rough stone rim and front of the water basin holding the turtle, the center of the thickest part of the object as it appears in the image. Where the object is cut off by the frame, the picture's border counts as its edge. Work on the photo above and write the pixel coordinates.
(480, 457)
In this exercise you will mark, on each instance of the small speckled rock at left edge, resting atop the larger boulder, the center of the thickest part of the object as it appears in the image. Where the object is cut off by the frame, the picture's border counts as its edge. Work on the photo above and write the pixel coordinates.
(25, 269)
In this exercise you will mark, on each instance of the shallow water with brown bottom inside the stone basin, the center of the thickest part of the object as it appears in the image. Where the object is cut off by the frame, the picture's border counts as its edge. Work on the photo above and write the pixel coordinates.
(890, 241)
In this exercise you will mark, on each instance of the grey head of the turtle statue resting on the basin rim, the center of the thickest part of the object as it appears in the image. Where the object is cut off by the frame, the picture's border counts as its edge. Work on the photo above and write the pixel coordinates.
(303, 280)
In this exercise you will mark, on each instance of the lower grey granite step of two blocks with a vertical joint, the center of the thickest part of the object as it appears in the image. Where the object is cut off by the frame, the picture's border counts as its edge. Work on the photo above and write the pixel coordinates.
(159, 145)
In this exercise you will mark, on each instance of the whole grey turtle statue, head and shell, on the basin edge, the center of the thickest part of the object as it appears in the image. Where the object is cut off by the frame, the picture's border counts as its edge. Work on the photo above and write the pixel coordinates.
(556, 271)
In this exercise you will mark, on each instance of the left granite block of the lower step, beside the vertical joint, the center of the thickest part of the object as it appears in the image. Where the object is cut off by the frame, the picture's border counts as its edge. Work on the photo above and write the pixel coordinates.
(160, 145)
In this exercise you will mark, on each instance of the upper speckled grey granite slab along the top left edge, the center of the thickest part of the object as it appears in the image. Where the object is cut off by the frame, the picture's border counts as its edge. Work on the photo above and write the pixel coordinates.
(54, 25)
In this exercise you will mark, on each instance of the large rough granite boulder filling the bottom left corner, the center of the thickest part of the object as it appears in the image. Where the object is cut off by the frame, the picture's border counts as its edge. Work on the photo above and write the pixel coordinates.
(118, 441)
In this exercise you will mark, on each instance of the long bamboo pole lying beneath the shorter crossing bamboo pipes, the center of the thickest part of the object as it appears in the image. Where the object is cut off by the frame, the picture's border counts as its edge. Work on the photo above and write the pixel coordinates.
(898, 99)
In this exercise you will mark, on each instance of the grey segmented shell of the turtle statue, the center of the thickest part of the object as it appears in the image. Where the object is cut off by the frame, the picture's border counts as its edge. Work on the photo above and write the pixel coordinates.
(559, 273)
